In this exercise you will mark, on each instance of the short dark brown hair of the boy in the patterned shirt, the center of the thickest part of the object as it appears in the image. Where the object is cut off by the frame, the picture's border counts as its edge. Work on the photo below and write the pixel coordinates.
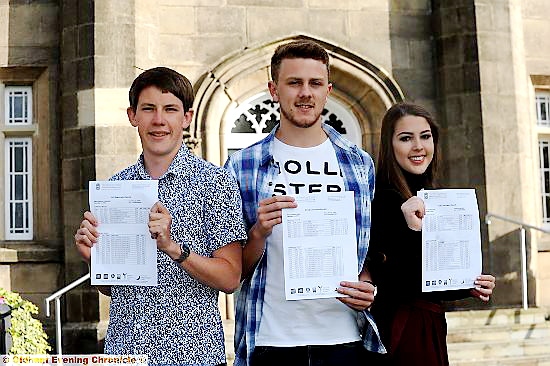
(167, 80)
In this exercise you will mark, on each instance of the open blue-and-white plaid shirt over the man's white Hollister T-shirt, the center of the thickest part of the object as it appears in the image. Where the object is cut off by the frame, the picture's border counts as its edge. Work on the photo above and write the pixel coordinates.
(254, 169)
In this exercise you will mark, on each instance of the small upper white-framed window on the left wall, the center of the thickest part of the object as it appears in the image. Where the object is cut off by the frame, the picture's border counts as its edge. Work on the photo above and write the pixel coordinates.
(18, 105)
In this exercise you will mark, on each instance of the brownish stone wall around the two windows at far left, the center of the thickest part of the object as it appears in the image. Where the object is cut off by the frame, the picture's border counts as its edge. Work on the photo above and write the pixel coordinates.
(29, 55)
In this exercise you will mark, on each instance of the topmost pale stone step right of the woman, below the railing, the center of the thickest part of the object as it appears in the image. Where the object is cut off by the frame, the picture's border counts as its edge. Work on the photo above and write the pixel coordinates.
(471, 318)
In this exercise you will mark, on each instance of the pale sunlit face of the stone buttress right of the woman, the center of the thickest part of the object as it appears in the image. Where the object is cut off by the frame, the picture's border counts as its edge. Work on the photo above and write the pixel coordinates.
(509, 134)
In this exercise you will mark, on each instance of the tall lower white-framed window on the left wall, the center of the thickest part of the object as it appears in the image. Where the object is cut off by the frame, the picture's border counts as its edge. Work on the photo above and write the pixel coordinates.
(18, 188)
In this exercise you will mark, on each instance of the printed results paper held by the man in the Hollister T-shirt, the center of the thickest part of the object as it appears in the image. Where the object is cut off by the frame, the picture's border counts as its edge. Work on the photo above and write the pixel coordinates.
(319, 245)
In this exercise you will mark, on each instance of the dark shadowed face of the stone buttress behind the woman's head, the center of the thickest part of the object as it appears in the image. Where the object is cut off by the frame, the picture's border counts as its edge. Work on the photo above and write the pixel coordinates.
(459, 104)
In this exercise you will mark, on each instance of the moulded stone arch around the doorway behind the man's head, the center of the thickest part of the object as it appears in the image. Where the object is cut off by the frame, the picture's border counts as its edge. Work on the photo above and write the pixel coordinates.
(365, 89)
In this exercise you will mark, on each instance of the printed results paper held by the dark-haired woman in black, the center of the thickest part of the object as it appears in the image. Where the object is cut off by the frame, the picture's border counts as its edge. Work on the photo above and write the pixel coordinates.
(451, 240)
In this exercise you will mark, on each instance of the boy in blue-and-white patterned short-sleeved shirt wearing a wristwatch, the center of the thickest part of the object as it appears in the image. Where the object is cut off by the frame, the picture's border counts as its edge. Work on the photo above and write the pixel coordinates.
(198, 228)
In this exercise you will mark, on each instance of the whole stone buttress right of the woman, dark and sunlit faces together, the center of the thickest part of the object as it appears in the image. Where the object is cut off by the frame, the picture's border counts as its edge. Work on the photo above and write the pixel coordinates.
(483, 92)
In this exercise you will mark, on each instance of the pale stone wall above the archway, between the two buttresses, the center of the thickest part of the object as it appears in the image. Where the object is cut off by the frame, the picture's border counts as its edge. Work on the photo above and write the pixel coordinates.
(194, 36)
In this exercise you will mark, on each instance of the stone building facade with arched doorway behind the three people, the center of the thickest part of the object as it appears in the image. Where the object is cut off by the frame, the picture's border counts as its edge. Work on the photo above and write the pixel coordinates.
(65, 68)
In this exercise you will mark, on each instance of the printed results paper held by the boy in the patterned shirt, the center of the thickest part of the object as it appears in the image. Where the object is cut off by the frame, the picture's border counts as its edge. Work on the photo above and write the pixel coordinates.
(125, 253)
